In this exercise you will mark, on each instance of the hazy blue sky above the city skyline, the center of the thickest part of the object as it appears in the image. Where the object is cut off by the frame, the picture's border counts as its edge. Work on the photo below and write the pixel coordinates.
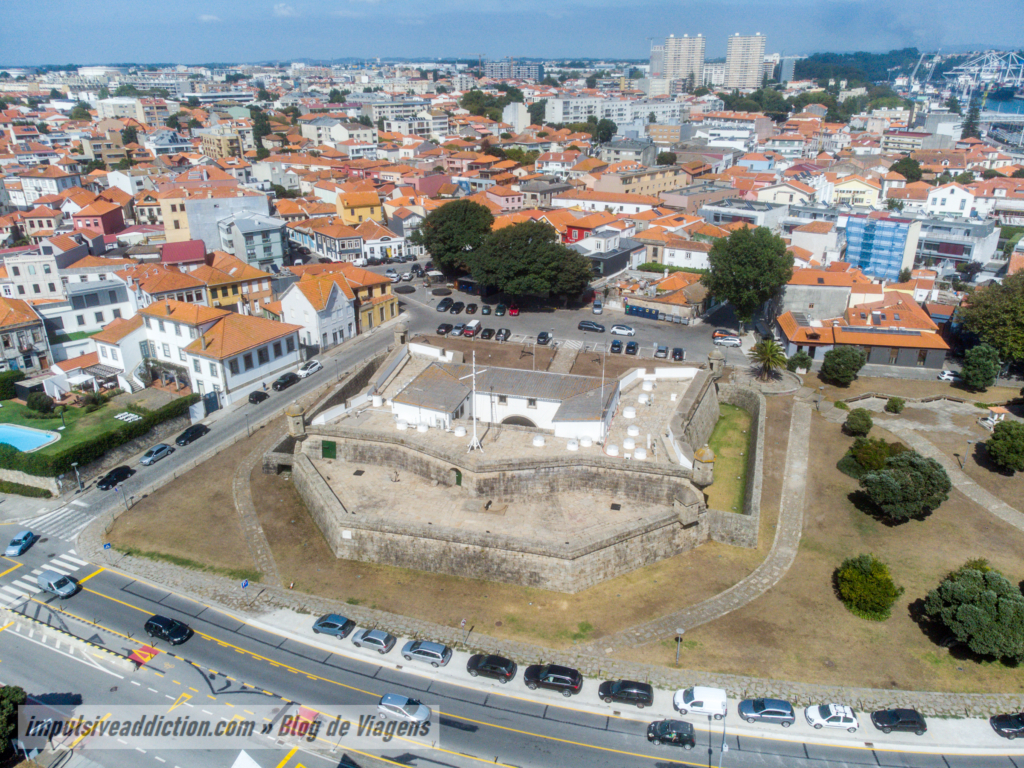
(36, 32)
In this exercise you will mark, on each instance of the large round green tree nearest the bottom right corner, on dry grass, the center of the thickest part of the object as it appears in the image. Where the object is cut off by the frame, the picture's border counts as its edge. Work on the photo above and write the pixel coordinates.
(984, 610)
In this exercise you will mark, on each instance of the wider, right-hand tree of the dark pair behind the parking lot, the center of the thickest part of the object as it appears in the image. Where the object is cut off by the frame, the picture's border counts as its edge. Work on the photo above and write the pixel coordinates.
(528, 260)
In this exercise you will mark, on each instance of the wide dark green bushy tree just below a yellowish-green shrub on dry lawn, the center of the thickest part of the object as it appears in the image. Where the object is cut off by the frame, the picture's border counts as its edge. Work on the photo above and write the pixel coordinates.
(910, 486)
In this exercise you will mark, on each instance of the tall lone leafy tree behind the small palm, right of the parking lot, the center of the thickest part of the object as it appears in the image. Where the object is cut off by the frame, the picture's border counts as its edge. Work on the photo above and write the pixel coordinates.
(748, 269)
